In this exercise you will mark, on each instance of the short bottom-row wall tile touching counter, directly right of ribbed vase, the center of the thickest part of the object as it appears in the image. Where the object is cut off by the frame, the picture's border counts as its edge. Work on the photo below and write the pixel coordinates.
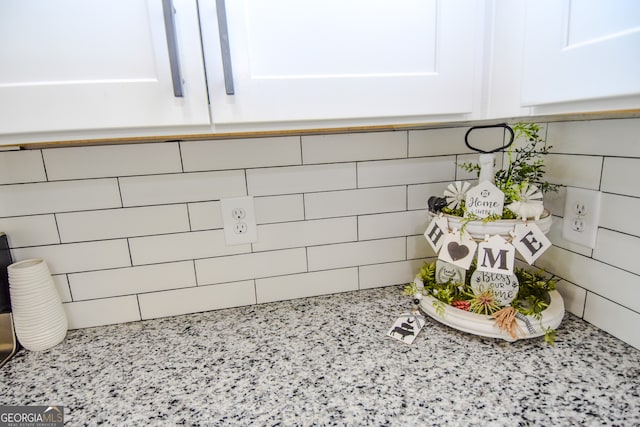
(107, 311)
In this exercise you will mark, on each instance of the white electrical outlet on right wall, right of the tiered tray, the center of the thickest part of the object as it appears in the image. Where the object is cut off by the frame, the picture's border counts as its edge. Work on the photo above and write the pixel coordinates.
(581, 216)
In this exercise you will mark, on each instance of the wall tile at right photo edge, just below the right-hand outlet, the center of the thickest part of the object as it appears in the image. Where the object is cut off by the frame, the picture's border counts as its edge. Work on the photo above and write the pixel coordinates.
(618, 249)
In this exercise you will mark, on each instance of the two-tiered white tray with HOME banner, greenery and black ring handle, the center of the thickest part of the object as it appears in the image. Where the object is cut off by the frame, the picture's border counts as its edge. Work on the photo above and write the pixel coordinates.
(475, 285)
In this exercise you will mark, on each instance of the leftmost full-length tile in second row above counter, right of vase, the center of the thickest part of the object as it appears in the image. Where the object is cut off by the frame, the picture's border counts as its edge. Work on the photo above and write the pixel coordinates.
(131, 280)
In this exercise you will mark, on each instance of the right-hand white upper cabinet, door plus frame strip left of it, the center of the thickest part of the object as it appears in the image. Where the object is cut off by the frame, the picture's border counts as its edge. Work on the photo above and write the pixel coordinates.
(565, 56)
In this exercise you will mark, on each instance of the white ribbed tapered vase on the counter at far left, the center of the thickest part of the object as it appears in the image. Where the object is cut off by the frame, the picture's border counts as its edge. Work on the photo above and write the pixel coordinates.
(39, 319)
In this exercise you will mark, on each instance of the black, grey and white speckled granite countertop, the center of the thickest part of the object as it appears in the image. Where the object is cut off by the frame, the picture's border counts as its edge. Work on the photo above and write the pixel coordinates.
(326, 361)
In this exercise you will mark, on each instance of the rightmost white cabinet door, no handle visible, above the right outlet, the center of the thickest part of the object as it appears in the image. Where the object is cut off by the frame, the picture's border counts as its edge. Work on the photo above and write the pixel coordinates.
(580, 49)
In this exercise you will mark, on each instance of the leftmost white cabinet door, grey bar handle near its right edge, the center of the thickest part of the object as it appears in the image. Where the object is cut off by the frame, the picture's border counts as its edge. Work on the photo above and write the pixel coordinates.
(71, 65)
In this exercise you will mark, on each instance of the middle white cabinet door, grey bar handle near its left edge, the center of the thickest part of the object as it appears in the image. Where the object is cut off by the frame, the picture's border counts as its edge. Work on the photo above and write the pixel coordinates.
(298, 60)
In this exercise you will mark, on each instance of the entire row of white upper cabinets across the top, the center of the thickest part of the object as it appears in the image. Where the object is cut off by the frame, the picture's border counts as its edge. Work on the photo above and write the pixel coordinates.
(90, 69)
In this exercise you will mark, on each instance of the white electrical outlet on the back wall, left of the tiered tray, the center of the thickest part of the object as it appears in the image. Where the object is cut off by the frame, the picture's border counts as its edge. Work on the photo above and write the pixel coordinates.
(239, 219)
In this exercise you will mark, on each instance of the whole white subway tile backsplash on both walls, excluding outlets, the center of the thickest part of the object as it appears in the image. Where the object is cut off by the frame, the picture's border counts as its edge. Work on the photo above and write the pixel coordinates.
(350, 207)
